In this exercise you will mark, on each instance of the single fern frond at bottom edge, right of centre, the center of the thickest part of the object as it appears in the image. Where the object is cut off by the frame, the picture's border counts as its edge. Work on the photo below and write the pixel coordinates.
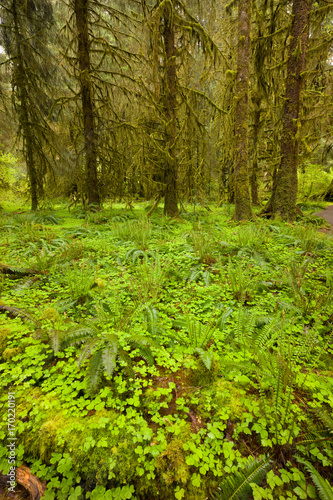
(237, 486)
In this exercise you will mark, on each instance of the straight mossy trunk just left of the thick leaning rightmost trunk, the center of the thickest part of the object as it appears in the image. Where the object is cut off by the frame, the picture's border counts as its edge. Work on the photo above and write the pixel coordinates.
(243, 208)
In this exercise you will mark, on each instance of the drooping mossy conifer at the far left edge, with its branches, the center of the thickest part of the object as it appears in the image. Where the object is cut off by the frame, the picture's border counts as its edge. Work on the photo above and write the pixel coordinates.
(25, 31)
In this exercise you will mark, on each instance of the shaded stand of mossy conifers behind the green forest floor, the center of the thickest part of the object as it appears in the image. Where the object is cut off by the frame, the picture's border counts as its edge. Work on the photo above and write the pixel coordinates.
(184, 101)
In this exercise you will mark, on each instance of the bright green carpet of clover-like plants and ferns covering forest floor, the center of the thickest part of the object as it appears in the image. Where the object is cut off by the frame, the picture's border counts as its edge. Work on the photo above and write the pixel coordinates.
(168, 358)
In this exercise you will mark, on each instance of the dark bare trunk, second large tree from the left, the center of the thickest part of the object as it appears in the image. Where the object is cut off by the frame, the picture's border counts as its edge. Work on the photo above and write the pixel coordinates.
(81, 9)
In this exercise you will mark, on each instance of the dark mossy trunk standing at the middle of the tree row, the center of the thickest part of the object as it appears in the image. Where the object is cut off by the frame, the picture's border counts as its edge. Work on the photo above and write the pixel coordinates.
(170, 103)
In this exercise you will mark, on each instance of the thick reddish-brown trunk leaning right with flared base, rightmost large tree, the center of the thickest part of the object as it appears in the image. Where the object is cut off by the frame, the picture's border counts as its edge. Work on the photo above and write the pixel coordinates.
(284, 195)
